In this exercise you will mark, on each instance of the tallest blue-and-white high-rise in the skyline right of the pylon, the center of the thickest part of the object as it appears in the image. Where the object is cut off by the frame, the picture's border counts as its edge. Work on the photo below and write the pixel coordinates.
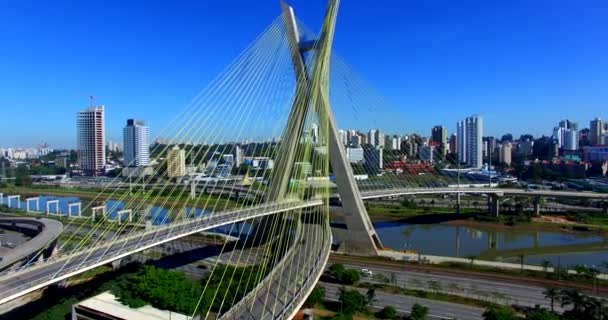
(469, 133)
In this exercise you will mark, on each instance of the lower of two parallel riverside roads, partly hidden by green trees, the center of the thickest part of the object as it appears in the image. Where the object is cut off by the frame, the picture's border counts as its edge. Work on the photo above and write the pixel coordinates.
(403, 304)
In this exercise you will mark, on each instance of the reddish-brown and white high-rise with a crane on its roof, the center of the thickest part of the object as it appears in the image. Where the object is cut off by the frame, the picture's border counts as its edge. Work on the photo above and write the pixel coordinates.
(91, 144)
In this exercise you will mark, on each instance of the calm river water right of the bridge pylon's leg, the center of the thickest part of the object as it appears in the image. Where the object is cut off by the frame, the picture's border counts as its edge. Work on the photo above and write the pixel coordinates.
(561, 248)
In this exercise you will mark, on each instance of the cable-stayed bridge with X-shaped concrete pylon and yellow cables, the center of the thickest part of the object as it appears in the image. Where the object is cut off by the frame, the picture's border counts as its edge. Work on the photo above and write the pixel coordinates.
(278, 86)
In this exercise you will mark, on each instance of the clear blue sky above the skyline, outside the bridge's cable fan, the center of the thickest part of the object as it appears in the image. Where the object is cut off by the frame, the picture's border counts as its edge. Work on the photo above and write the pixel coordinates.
(521, 64)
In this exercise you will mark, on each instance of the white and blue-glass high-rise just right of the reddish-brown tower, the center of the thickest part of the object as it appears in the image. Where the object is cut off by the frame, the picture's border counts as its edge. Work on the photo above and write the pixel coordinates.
(136, 142)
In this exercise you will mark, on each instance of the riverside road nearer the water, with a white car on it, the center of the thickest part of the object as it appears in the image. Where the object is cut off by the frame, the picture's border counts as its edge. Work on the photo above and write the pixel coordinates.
(497, 291)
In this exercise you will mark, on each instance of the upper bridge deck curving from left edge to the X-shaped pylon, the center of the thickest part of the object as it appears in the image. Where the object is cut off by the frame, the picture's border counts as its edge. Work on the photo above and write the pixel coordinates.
(55, 269)
